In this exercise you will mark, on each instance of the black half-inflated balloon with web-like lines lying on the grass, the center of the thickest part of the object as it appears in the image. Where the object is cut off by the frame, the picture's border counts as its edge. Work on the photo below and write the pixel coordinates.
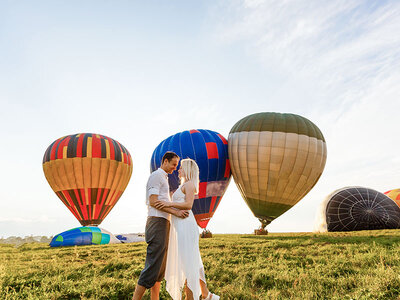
(359, 208)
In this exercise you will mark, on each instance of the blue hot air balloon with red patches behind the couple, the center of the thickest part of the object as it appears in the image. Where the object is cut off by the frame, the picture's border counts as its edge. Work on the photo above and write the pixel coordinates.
(209, 149)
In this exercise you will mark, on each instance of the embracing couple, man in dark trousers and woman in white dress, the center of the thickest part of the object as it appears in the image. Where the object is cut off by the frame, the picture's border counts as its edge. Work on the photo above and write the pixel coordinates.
(172, 235)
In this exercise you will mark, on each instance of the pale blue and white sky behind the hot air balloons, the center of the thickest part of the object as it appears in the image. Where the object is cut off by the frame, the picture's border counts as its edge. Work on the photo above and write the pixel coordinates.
(141, 71)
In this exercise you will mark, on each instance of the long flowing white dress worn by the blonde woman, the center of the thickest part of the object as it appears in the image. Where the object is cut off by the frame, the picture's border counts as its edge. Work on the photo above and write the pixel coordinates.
(183, 258)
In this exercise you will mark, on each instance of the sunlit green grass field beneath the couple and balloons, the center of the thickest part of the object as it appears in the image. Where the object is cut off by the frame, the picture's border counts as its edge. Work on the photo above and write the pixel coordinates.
(354, 265)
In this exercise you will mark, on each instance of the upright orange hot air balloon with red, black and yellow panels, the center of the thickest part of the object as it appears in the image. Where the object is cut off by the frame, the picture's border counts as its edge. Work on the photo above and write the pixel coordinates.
(88, 172)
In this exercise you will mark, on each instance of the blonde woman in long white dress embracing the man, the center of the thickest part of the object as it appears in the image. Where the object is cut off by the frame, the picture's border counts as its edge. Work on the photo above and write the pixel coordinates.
(184, 264)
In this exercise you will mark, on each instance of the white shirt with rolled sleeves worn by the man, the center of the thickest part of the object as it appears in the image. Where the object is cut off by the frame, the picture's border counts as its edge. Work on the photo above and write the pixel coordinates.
(157, 185)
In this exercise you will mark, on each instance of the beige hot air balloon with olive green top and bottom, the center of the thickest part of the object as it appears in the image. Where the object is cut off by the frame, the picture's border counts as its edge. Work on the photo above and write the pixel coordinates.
(276, 159)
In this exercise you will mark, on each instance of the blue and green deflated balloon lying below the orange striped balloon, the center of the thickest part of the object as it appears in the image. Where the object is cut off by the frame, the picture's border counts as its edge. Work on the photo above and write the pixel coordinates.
(84, 236)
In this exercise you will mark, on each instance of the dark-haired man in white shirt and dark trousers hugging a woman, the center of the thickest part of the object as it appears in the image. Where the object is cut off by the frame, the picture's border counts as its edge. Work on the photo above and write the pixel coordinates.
(157, 228)
